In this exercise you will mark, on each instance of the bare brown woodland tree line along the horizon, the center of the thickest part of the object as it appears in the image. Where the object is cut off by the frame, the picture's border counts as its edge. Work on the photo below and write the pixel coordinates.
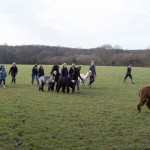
(105, 55)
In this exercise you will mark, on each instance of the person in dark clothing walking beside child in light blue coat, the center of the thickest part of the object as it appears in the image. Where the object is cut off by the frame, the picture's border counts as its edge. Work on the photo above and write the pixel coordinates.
(13, 71)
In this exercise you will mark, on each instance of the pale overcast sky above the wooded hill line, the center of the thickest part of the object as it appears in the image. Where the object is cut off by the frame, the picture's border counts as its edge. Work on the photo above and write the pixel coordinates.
(76, 23)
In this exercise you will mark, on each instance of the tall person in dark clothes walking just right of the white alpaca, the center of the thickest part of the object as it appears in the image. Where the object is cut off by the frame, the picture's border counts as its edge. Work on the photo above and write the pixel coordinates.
(93, 74)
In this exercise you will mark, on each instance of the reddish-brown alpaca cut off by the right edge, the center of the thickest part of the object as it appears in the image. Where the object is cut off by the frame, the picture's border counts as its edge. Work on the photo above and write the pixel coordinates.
(144, 95)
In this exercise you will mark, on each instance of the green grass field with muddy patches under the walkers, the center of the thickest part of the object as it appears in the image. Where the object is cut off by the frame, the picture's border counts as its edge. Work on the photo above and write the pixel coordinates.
(101, 118)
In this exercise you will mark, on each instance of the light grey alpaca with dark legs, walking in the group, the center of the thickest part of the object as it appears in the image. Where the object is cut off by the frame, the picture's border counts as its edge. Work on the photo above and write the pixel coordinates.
(47, 80)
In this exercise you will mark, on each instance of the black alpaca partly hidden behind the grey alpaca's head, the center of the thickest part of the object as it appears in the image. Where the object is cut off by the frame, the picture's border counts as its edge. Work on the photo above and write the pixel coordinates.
(55, 68)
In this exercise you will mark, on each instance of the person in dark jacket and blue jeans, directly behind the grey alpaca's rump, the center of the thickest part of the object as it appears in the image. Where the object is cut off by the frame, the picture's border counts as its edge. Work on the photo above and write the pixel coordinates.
(35, 73)
